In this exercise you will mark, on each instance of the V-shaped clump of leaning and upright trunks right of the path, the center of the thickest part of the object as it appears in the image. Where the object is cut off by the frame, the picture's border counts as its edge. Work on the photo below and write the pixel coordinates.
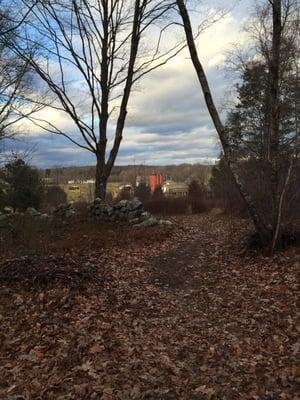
(269, 235)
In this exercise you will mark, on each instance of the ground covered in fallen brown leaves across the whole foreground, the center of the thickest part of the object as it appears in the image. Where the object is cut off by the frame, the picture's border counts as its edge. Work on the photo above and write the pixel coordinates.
(183, 312)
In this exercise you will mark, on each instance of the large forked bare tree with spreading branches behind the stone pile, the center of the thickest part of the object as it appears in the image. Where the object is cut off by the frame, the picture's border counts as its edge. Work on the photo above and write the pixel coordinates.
(91, 53)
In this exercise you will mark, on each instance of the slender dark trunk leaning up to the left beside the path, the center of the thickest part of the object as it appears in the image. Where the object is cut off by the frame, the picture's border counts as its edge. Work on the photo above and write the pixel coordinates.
(262, 230)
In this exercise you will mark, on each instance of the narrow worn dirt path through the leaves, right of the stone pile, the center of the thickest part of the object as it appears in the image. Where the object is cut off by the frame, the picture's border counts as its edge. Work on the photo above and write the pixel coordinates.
(207, 251)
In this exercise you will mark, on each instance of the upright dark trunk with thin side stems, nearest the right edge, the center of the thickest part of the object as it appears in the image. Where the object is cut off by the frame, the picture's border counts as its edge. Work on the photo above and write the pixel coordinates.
(284, 12)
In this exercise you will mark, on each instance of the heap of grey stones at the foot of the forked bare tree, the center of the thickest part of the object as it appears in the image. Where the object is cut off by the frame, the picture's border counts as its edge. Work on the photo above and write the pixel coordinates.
(130, 211)
